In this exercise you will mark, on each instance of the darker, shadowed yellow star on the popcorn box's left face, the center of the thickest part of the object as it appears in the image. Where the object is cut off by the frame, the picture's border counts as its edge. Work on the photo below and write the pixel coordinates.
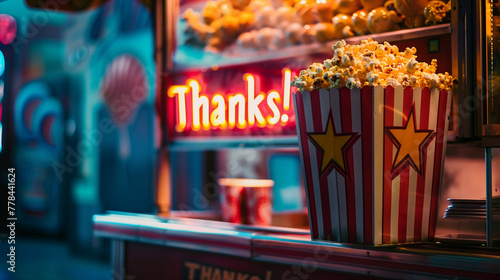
(333, 147)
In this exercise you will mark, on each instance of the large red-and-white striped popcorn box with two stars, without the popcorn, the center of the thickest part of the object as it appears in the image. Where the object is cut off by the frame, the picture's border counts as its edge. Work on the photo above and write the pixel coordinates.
(372, 160)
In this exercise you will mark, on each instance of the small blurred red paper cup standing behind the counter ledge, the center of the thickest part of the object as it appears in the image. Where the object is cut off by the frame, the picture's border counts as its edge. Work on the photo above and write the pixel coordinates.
(246, 201)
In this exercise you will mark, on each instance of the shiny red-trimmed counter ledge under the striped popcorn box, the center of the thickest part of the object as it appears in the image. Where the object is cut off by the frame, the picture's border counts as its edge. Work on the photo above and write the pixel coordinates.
(289, 245)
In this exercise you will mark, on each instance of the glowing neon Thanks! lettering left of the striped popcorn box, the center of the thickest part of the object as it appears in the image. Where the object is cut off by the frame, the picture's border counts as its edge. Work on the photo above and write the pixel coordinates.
(196, 110)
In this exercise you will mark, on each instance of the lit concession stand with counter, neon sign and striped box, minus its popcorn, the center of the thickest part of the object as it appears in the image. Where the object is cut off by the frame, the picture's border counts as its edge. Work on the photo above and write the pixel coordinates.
(247, 185)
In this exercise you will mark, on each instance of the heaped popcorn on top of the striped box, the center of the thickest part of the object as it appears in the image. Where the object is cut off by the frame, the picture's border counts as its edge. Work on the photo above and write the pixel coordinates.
(371, 64)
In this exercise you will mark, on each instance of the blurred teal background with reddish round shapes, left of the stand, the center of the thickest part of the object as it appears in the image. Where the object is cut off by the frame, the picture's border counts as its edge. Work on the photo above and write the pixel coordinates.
(77, 113)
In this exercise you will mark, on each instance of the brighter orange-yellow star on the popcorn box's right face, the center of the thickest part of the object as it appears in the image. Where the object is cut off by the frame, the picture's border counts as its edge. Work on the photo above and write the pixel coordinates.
(410, 144)
